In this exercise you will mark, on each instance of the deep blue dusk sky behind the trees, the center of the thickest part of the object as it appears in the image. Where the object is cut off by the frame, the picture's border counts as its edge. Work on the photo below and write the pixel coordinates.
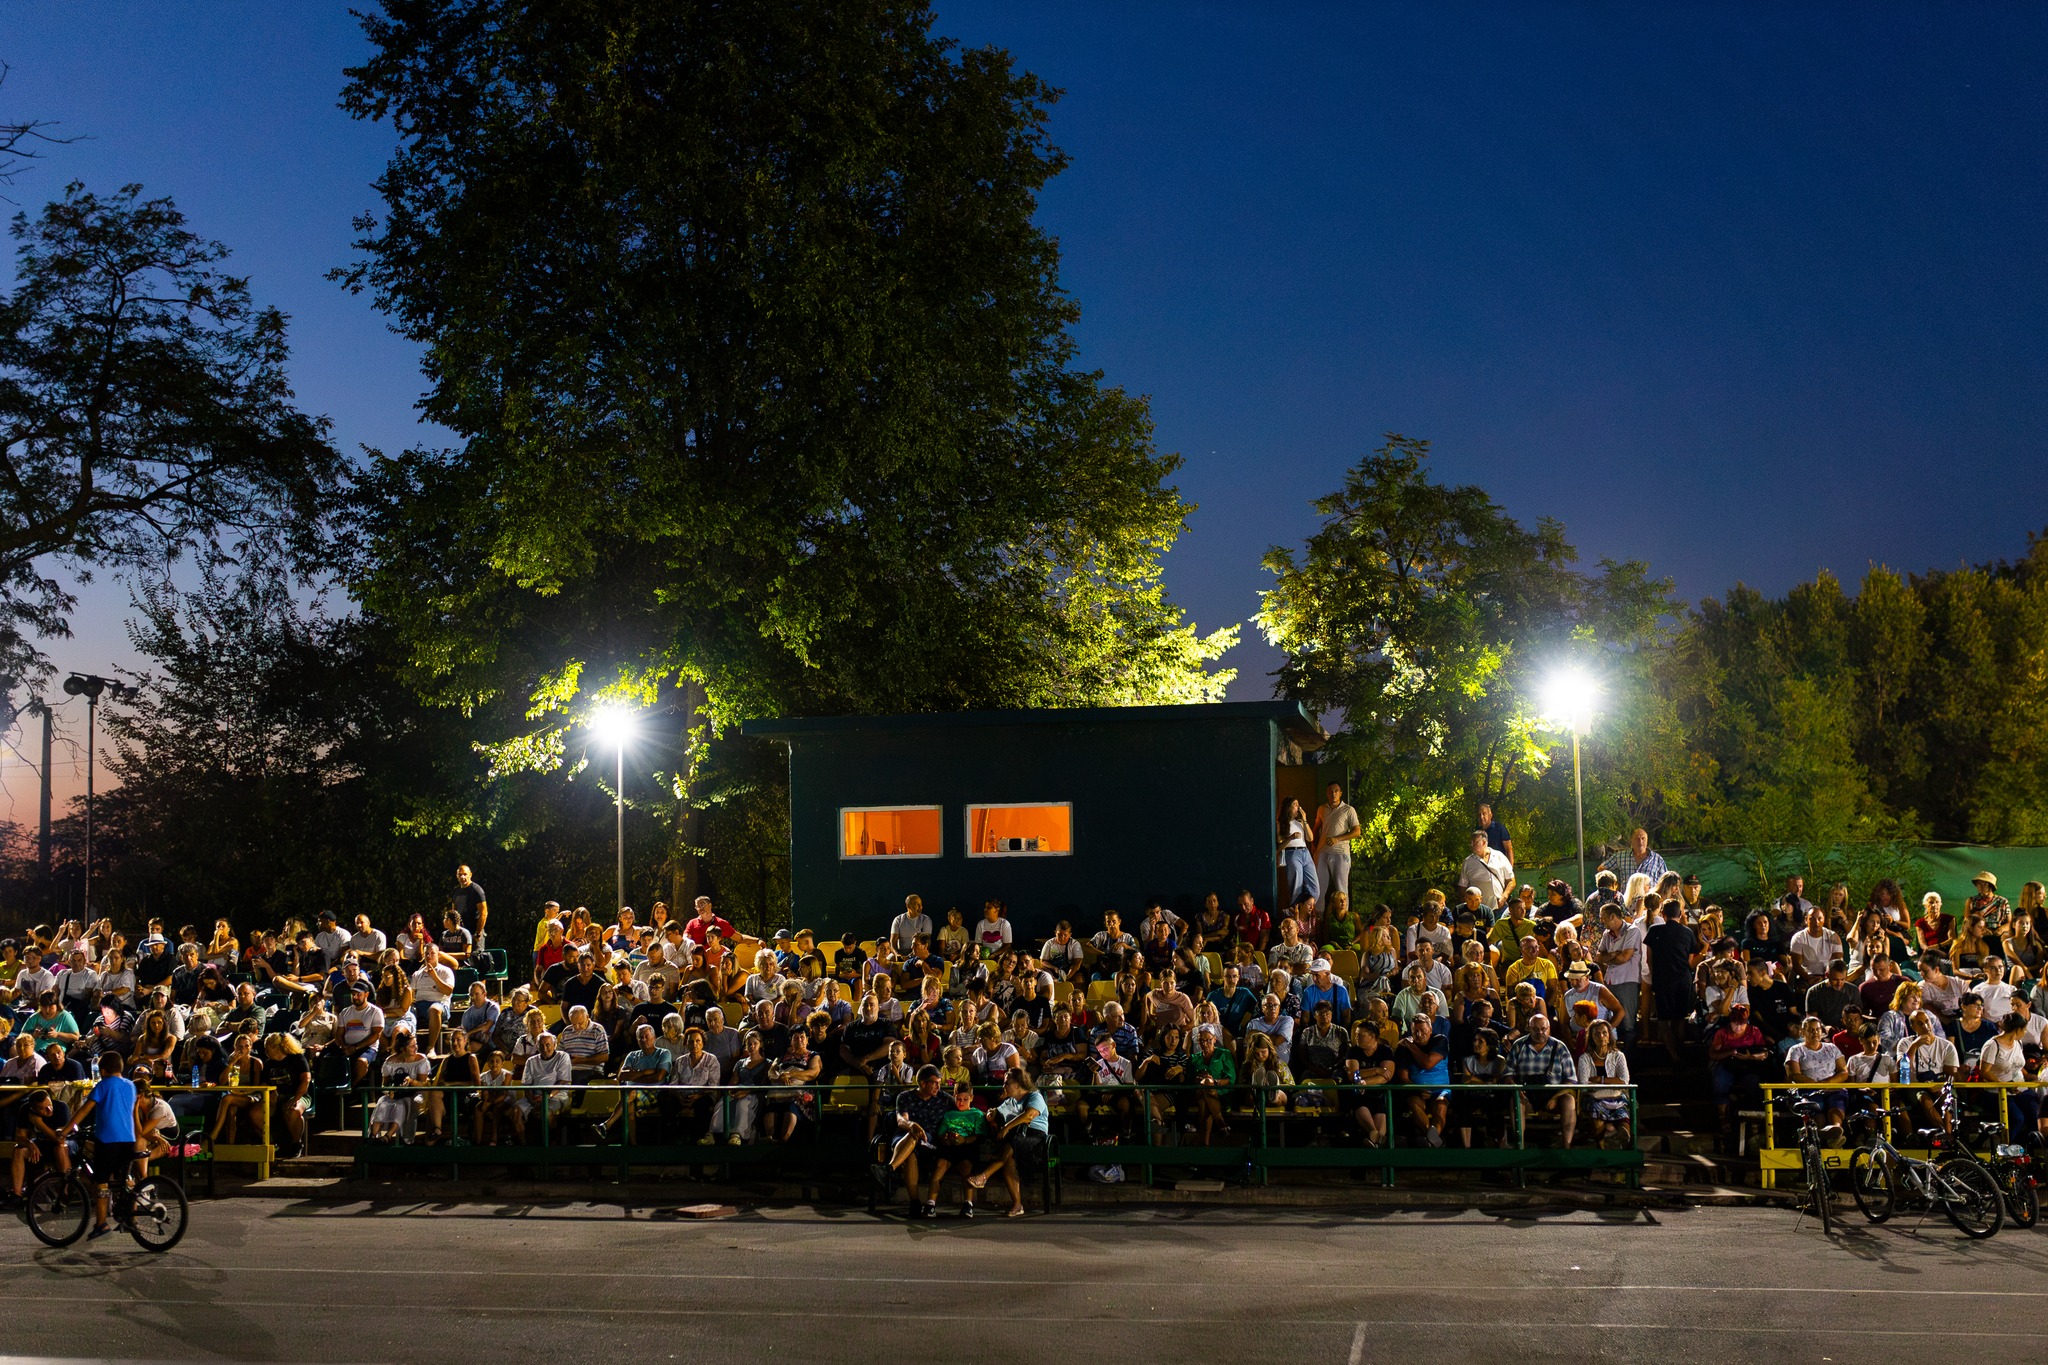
(1742, 290)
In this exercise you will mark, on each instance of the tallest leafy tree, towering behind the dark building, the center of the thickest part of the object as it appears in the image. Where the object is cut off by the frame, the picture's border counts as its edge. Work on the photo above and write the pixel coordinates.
(761, 369)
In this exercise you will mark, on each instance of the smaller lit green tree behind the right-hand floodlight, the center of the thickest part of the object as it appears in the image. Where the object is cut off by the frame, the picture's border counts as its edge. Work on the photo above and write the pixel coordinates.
(1424, 621)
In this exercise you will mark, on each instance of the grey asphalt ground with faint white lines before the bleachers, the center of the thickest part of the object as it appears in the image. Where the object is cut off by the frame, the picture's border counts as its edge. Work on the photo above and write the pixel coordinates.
(267, 1280)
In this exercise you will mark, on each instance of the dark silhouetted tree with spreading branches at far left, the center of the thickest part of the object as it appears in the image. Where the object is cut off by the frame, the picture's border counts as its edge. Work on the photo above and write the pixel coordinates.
(144, 412)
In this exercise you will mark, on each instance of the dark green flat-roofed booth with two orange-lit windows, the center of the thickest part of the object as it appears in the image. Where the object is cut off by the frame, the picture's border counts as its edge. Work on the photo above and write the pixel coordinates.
(1056, 813)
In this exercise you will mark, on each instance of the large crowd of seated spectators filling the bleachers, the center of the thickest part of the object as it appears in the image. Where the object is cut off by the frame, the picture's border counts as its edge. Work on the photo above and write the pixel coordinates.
(962, 1041)
